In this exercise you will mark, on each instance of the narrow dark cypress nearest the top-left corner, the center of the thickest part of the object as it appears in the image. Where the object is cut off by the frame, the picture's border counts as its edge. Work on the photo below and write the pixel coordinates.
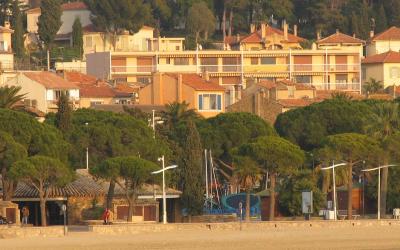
(18, 26)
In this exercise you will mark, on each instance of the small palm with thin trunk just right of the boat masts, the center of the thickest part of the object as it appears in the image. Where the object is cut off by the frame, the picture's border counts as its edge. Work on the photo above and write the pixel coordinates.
(247, 173)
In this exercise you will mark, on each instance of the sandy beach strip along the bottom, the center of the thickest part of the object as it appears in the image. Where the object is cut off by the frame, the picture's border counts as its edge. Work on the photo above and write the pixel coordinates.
(382, 237)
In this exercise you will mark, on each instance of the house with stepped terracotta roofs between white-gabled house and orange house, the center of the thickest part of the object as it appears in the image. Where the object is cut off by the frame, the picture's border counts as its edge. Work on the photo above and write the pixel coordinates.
(96, 92)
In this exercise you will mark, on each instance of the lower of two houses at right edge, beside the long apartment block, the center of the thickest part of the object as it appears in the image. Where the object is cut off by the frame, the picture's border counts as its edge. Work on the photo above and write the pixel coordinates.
(384, 67)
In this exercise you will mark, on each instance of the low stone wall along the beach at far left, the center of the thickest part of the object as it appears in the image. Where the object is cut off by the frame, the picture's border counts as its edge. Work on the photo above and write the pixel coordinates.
(27, 232)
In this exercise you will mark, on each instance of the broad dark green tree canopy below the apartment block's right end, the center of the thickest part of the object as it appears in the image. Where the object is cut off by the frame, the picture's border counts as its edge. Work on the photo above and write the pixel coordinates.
(307, 126)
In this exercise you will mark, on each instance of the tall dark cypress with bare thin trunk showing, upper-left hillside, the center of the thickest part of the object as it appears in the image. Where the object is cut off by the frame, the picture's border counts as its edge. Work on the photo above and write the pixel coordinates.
(49, 23)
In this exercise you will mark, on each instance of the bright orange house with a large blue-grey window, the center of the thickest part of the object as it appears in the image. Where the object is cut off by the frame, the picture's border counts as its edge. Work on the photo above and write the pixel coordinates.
(207, 98)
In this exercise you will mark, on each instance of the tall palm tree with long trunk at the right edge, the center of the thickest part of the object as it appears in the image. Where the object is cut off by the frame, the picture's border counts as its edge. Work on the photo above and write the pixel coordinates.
(384, 123)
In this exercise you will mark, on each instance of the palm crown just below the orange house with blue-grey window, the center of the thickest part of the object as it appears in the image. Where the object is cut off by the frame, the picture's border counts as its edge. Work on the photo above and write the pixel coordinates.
(177, 112)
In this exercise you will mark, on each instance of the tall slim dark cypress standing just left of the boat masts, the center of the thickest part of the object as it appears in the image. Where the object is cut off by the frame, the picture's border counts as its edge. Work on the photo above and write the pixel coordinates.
(191, 172)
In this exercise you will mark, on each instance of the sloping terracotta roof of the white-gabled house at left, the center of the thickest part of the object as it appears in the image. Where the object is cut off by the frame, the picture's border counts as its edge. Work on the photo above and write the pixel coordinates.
(50, 80)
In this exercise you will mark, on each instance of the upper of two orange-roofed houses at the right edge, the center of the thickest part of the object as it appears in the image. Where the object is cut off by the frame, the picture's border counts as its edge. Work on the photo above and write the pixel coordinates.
(384, 42)
